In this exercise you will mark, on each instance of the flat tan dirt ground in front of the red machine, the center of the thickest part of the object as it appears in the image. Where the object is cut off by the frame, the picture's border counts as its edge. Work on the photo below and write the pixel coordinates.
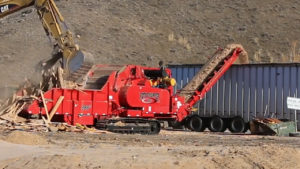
(169, 149)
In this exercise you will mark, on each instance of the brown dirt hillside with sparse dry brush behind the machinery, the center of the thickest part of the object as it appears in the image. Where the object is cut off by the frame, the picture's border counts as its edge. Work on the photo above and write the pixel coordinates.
(146, 31)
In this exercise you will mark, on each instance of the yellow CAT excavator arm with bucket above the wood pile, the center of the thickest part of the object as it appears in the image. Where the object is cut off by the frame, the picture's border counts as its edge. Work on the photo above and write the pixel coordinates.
(74, 60)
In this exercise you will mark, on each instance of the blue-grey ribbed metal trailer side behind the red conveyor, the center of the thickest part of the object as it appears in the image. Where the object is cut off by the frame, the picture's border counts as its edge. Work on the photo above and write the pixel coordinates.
(251, 90)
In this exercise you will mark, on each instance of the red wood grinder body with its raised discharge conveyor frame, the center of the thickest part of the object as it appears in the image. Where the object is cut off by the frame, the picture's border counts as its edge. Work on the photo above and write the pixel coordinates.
(130, 92)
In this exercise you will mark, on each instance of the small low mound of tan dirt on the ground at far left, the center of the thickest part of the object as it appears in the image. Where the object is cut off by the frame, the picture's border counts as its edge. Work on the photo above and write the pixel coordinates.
(27, 138)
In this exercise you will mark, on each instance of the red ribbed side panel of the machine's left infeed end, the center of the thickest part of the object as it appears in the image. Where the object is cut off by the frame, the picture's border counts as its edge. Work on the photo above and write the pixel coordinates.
(80, 107)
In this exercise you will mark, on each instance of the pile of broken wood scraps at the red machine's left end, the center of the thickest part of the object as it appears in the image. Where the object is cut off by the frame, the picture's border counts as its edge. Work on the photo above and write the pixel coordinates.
(11, 111)
